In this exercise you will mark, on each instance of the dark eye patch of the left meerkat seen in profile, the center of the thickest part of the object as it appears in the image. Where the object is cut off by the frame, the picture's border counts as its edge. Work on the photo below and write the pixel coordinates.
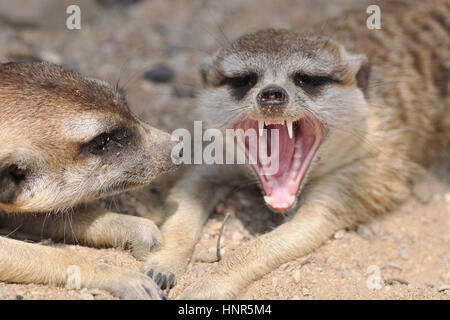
(108, 142)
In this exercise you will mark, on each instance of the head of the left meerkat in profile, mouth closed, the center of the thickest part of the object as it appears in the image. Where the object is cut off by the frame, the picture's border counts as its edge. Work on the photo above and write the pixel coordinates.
(66, 140)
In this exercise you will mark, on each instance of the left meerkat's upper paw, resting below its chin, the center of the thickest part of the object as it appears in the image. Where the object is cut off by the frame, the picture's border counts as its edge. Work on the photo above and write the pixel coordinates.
(140, 236)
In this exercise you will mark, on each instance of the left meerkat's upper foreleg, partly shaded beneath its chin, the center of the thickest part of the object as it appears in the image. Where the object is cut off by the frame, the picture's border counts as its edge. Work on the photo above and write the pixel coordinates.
(93, 226)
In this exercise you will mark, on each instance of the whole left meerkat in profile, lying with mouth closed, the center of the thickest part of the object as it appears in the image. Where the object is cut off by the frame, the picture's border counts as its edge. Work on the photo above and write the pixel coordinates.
(65, 141)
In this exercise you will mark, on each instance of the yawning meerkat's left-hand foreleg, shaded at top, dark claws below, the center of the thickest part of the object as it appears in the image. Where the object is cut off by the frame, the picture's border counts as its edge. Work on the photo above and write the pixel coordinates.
(189, 203)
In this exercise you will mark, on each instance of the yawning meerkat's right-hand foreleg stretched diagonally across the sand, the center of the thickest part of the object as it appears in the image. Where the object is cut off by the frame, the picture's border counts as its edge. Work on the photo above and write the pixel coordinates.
(312, 226)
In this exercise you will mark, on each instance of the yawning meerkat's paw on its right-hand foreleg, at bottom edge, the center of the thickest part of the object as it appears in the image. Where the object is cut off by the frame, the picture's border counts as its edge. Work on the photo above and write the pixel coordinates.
(210, 287)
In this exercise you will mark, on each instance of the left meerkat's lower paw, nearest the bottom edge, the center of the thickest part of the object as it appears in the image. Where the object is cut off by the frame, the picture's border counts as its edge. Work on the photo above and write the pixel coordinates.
(128, 284)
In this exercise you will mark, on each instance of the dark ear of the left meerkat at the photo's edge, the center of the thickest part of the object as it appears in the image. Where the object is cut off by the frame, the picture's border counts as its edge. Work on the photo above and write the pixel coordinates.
(12, 181)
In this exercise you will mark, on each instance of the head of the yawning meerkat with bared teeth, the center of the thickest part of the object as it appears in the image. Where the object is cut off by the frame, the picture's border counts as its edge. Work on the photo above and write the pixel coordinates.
(307, 87)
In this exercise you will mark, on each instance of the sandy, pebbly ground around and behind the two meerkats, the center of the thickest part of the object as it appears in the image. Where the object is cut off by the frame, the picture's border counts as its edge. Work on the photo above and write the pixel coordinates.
(410, 247)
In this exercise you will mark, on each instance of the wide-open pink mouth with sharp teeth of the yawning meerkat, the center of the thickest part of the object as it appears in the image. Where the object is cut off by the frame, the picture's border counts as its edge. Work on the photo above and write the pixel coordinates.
(281, 158)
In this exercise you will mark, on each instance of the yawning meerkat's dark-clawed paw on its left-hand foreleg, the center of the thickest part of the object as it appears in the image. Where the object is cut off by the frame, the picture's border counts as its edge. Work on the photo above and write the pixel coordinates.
(165, 268)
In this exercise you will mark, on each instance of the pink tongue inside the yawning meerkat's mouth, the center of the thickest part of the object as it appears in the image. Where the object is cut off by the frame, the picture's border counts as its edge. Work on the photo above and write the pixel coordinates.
(283, 149)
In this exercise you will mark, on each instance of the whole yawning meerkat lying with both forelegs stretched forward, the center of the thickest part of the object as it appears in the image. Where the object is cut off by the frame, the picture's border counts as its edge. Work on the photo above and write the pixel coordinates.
(357, 112)
